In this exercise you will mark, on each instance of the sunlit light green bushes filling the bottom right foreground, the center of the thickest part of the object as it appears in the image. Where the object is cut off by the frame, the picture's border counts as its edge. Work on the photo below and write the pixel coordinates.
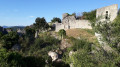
(82, 56)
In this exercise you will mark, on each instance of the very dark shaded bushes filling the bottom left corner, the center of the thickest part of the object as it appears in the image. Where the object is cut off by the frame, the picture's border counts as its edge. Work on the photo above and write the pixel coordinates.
(14, 59)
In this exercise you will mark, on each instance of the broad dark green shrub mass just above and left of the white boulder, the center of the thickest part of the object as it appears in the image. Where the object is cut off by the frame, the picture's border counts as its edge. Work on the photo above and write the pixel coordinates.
(43, 45)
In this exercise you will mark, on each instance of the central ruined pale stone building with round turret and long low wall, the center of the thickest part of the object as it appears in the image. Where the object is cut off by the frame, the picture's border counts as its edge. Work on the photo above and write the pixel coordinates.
(70, 22)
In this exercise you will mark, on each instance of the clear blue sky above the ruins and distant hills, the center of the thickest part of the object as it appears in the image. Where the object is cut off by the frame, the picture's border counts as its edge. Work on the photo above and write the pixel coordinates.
(24, 12)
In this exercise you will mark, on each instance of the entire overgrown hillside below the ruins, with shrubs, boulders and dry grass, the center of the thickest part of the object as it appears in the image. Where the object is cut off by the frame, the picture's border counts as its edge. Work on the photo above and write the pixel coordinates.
(41, 47)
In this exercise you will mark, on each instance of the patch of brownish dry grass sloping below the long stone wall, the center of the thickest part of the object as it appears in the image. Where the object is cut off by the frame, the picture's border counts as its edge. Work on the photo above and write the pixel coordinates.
(82, 33)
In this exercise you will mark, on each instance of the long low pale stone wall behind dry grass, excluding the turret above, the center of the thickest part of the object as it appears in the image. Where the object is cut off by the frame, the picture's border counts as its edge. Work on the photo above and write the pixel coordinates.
(84, 24)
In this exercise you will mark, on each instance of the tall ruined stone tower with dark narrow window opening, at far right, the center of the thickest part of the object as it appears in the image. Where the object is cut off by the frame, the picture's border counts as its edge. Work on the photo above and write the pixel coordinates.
(109, 12)
